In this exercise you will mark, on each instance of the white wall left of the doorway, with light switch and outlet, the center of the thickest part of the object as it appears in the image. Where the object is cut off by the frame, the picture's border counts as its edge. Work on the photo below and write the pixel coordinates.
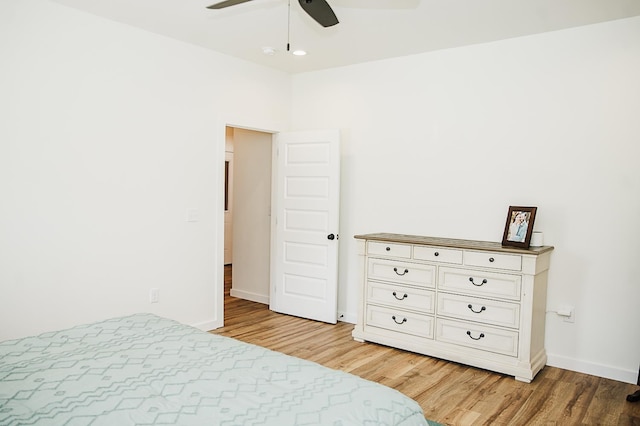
(108, 136)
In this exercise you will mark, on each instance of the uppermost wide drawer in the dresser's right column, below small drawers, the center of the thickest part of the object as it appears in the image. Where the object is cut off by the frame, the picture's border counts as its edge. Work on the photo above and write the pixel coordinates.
(480, 283)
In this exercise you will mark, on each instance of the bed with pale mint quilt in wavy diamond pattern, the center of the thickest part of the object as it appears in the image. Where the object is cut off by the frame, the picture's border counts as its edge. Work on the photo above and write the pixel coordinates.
(147, 370)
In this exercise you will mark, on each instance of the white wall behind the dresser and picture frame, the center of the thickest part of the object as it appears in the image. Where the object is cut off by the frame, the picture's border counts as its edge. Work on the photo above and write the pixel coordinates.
(442, 143)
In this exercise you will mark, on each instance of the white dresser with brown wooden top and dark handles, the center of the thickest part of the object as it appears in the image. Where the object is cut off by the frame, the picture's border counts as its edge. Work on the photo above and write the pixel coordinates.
(472, 302)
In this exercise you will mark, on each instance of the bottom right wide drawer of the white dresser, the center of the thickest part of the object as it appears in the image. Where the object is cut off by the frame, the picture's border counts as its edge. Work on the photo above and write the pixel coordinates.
(478, 336)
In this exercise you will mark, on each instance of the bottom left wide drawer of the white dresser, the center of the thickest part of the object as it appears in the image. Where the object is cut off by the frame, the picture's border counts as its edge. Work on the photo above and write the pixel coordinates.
(400, 321)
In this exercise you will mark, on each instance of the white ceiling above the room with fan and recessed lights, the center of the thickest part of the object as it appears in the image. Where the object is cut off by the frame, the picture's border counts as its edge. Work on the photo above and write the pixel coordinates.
(368, 29)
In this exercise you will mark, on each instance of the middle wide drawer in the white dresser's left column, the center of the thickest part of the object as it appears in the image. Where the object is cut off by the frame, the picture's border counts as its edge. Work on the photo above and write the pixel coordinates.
(401, 297)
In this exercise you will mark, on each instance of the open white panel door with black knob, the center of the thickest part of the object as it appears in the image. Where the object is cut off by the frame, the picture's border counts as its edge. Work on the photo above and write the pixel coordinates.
(304, 279)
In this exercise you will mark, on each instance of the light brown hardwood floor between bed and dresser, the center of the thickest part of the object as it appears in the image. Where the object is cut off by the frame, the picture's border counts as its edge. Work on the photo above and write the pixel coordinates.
(449, 393)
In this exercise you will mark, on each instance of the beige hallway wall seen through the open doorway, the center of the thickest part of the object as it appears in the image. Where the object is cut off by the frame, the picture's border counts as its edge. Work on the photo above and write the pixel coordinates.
(252, 215)
